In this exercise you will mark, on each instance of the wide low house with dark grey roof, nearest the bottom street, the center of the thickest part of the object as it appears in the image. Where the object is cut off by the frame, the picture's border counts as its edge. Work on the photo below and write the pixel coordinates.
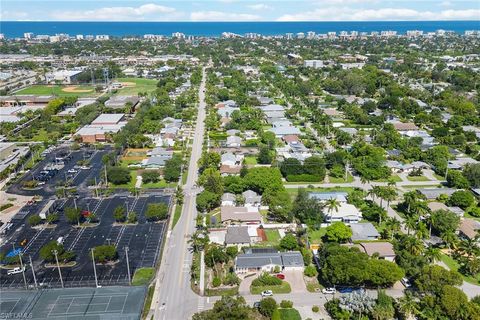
(267, 261)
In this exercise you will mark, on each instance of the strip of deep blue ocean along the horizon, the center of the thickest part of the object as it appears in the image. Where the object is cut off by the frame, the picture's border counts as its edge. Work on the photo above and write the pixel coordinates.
(12, 29)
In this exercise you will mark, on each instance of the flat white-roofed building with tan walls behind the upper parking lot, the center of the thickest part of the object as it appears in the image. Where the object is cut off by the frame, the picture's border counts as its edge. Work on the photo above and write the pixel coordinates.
(100, 128)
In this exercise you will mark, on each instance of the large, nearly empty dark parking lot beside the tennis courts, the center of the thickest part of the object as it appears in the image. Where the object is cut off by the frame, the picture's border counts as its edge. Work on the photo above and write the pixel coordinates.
(143, 240)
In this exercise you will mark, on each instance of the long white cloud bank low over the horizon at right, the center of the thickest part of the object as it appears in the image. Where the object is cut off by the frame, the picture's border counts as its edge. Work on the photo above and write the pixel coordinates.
(385, 14)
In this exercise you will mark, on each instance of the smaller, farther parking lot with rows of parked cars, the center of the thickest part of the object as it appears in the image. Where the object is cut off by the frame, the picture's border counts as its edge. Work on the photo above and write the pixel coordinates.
(61, 165)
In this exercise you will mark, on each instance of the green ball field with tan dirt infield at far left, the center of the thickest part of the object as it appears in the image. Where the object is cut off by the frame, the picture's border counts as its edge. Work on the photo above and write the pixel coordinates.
(61, 91)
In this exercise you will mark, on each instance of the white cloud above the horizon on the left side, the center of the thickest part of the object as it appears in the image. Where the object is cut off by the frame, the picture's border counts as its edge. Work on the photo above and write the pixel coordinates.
(148, 11)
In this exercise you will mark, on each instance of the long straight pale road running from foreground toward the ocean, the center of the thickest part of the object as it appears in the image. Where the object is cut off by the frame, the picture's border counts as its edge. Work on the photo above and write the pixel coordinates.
(173, 298)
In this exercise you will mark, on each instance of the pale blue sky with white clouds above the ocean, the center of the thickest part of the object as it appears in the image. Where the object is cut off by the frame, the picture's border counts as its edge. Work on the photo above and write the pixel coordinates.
(238, 10)
